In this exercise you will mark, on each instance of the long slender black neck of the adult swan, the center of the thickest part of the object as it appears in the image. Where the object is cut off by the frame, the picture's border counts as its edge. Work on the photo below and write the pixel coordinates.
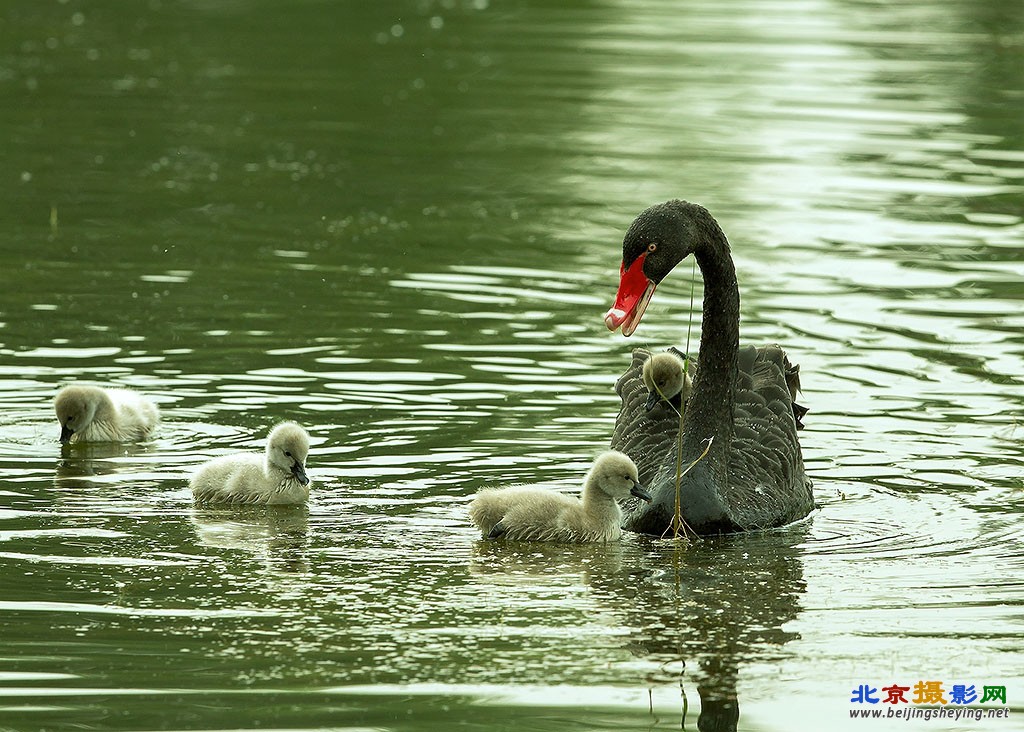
(709, 412)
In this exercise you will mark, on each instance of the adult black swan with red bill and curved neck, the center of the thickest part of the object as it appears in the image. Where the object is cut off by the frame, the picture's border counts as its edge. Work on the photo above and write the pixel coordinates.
(753, 476)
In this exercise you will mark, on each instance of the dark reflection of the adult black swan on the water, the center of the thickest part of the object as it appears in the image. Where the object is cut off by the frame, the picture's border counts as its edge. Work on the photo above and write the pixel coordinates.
(718, 604)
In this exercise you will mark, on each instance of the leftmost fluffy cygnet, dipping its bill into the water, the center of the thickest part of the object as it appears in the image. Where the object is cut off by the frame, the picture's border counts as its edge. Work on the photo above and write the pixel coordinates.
(90, 414)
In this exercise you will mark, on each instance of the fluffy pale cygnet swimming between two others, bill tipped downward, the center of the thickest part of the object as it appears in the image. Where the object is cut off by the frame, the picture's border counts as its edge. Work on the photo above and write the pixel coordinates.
(277, 478)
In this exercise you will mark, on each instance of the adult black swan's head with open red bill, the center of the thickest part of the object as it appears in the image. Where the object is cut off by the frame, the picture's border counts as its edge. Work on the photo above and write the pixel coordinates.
(659, 240)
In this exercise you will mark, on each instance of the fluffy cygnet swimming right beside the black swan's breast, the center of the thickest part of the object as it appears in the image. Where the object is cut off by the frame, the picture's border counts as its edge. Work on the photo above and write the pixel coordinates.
(535, 514)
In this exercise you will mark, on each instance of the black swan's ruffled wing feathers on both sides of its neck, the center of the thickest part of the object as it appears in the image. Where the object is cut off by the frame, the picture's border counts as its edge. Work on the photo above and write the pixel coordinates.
(767, 486)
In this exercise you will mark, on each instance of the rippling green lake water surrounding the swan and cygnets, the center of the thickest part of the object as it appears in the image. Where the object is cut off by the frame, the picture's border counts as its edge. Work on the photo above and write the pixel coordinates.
(400, 225)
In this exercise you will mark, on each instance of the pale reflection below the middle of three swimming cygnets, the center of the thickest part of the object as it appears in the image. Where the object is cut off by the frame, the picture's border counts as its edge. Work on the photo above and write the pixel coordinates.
(278, 535)
